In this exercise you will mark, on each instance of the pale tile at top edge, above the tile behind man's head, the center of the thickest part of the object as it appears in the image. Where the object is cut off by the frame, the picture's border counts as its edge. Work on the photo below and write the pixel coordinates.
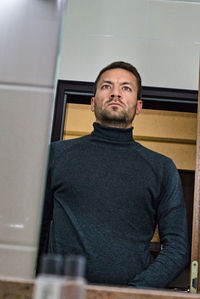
(106, 18)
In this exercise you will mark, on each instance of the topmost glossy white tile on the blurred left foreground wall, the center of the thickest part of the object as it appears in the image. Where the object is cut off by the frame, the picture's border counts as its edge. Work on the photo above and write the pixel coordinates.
(29, 33)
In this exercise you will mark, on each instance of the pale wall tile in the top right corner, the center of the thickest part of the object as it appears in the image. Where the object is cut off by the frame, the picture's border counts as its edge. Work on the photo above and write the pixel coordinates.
(174, 21)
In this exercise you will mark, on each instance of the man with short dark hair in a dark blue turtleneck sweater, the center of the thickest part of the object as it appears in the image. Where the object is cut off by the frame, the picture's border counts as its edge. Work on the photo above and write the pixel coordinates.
(109, 193)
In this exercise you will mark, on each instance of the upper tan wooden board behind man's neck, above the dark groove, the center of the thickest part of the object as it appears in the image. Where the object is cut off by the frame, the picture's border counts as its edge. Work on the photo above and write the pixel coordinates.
(169, 125)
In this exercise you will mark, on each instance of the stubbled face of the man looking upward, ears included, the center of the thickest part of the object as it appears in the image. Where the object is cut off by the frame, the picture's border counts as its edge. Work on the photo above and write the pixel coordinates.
(115, 102)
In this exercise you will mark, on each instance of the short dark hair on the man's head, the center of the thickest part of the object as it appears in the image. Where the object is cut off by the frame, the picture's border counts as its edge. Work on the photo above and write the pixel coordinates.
(122, 65)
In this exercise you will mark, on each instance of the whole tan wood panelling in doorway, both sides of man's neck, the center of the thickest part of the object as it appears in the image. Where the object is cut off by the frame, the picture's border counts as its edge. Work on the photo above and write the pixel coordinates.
(167, 132)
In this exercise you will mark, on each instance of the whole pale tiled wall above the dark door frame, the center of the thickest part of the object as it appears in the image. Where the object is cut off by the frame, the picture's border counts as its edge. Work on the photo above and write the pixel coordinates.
(160, 37)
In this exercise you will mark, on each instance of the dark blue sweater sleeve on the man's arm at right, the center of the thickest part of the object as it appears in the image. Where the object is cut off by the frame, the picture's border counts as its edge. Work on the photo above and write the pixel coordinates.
(173, 231)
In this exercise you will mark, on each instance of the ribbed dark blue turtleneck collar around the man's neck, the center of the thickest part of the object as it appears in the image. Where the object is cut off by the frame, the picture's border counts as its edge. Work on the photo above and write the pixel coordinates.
(115, 134)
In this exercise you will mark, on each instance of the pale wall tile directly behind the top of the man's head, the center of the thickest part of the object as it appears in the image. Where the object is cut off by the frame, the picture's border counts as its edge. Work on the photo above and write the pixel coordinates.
(79, 63)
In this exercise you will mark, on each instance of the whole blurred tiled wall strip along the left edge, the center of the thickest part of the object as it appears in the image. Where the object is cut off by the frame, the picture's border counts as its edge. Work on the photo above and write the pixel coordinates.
(29, 31)
